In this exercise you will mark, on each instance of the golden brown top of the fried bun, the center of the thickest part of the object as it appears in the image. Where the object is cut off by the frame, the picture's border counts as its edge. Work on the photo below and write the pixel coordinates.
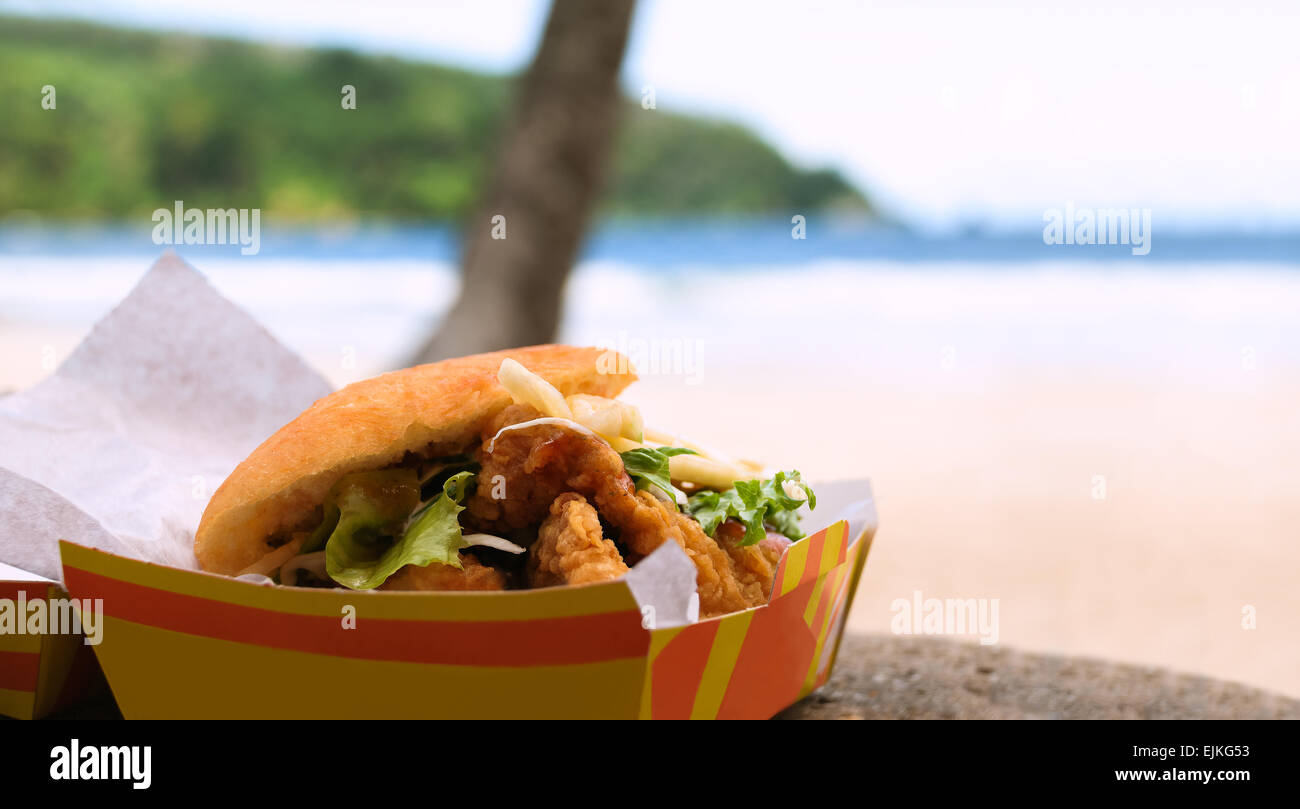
(372, 425)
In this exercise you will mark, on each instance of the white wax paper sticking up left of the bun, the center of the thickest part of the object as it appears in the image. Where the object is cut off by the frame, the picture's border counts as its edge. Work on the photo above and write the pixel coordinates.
(122, 448)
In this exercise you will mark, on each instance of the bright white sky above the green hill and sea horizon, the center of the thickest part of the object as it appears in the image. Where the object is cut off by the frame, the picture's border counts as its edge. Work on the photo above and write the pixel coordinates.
(944, 111)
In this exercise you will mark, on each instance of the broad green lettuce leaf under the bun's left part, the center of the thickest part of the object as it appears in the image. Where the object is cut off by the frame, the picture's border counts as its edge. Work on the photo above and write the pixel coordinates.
(369, 543)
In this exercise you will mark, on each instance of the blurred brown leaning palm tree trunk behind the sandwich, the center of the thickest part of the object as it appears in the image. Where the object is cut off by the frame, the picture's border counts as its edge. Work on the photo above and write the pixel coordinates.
(548, 178)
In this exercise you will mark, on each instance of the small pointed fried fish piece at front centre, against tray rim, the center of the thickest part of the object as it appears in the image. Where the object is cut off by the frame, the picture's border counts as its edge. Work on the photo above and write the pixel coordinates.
(570, 548)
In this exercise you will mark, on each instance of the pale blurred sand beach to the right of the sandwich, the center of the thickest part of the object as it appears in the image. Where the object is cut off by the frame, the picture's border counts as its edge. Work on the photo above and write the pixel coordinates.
(990, 495)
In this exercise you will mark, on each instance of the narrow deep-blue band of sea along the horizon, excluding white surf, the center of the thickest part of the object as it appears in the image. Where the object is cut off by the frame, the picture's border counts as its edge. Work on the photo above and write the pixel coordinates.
(675, 245)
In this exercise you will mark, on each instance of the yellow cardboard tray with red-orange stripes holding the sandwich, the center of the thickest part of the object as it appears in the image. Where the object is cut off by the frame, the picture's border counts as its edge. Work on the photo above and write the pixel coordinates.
(180, 643)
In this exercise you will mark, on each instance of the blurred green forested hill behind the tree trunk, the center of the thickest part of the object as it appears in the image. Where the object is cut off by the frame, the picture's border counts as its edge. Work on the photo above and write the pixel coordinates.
(146, 119)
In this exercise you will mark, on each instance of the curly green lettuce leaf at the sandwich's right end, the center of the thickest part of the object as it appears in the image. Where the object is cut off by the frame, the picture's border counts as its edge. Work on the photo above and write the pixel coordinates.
(756, 504)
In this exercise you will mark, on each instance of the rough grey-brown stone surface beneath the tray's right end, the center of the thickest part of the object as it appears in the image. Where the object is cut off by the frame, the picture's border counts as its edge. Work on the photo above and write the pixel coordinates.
(881, 677)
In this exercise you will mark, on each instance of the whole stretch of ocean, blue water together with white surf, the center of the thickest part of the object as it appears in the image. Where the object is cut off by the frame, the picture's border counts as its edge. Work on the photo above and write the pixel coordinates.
(704, 302)
